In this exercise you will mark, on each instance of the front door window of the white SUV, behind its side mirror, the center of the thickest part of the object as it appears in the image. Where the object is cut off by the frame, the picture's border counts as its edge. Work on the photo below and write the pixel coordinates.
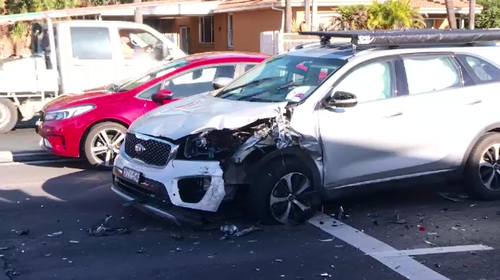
(372, 81)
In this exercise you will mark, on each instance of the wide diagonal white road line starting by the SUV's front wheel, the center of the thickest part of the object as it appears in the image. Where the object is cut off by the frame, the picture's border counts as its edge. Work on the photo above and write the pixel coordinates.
(404, 265)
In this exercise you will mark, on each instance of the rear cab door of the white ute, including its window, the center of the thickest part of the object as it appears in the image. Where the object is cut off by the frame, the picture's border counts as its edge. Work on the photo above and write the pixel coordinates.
(93, 60)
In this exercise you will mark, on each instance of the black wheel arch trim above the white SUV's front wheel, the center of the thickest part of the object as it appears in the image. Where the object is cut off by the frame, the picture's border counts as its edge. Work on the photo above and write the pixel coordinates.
(293, 152)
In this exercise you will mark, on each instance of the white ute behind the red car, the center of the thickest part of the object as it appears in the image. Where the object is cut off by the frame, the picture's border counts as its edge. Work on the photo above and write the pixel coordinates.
(70, 57)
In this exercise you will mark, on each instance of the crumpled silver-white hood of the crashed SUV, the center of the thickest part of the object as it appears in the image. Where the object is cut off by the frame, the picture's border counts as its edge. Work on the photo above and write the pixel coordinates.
(202, 112)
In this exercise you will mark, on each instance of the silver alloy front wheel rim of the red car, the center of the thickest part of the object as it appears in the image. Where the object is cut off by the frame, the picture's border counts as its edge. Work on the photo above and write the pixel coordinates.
(106, 145)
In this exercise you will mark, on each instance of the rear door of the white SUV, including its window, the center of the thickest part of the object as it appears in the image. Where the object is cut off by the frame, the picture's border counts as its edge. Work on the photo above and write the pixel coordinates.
(443, 107)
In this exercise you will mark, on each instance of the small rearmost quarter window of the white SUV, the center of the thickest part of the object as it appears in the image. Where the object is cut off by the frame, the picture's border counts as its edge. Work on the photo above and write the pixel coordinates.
(482, 72)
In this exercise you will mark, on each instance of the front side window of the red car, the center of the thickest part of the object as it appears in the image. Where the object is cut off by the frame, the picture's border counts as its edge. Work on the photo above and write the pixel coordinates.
(198, 80)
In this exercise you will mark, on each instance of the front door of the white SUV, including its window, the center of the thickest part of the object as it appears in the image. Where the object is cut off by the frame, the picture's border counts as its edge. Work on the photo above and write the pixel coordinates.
(373, 140)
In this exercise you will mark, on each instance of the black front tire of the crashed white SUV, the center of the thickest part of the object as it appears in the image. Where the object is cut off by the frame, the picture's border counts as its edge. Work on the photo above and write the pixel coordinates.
(259, 195)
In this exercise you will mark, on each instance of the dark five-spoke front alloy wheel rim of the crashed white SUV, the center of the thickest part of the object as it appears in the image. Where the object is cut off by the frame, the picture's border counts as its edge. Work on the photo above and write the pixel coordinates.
(289, 198)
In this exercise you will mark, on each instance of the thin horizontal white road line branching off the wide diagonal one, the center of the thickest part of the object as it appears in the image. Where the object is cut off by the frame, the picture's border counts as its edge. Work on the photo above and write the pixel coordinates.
(435, 250)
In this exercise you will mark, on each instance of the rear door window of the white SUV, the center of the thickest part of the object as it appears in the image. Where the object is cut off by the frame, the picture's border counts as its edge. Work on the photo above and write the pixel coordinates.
(431, 73)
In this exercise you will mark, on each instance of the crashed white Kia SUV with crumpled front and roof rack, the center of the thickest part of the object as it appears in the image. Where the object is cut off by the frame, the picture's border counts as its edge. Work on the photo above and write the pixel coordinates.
(393, 106)
